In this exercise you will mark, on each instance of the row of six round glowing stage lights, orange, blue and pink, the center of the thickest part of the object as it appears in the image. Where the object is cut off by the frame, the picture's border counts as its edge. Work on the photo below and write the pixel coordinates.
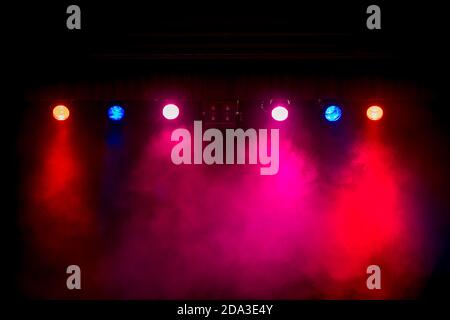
(171, 111)
